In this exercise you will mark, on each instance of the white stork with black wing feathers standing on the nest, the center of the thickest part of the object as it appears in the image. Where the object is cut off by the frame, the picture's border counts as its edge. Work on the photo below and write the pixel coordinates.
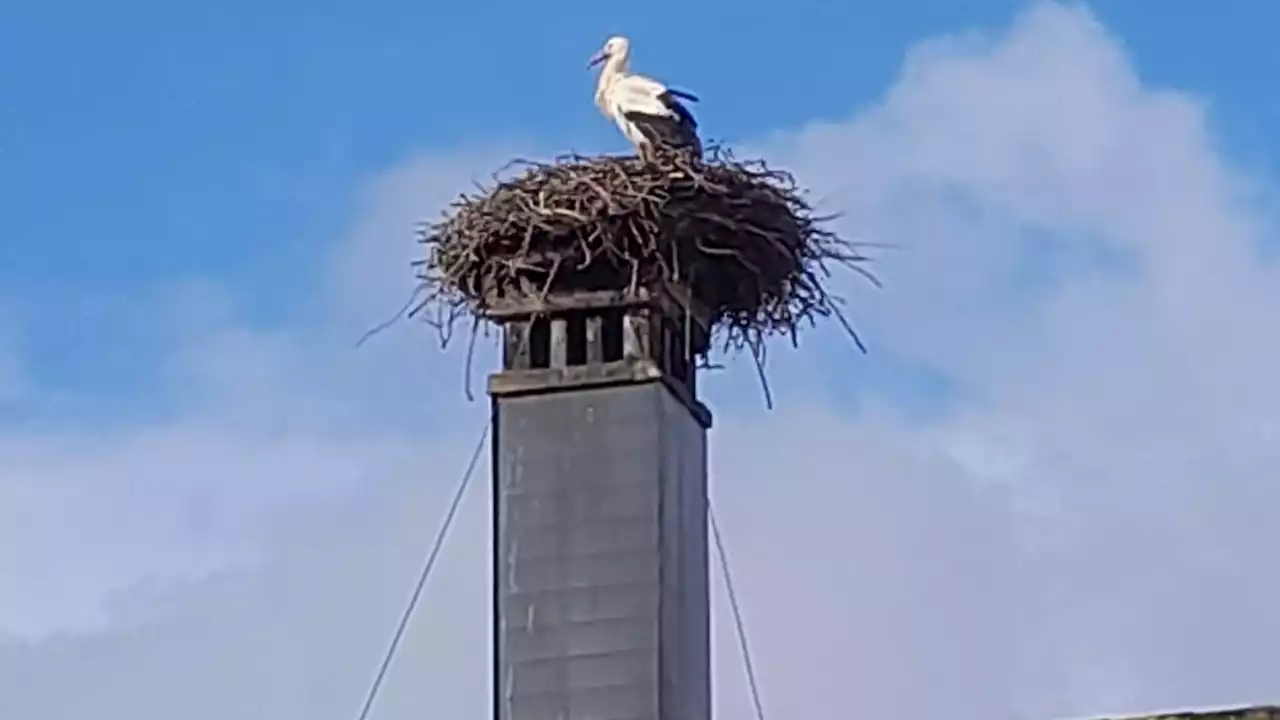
(647, 112)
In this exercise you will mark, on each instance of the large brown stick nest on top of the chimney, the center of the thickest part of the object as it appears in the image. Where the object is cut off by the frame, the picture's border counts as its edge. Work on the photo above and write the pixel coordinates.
(739, 235)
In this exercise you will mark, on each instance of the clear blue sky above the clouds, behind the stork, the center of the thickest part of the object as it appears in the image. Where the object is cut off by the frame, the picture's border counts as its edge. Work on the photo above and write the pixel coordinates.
(145, 143)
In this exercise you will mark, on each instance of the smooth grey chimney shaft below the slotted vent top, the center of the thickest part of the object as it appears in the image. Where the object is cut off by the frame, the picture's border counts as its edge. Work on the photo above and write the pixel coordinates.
(601, 557)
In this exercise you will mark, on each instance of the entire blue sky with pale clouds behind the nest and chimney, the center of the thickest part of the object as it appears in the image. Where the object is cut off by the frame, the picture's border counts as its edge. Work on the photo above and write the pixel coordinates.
(1044, 495)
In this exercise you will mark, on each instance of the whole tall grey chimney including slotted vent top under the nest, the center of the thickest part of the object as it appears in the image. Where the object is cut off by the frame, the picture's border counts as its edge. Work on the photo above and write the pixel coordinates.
(601, 549)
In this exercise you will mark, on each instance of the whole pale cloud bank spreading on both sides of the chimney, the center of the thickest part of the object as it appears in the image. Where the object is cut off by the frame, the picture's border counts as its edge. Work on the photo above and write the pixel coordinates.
(1085, 532)
